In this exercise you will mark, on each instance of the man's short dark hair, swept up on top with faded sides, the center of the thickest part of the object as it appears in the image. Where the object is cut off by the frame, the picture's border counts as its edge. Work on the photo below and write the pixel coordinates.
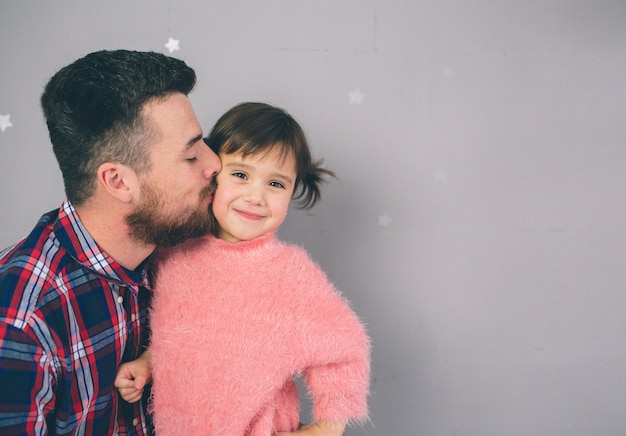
(93, 111)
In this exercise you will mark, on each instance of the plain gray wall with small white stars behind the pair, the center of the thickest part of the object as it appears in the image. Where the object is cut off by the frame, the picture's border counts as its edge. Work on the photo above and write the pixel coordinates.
(478, 225)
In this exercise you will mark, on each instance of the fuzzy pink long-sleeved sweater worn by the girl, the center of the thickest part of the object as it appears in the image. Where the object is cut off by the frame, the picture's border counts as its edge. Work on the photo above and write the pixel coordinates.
(233, 322)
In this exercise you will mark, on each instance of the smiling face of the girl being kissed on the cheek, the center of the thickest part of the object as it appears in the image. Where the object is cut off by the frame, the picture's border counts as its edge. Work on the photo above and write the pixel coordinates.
(253, 194)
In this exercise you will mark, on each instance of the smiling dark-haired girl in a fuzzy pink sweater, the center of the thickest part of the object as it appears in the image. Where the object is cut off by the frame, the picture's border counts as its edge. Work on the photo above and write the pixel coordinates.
(236, 314)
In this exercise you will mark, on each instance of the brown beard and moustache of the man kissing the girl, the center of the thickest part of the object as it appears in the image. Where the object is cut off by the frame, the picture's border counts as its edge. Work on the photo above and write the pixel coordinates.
(148, 225)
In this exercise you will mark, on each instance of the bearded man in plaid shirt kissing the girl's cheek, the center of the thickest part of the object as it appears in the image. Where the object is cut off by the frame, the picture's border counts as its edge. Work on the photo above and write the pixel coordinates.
(74, 293)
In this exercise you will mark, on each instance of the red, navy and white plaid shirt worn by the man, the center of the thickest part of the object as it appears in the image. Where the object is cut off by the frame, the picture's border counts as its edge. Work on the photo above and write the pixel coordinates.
(69, 315)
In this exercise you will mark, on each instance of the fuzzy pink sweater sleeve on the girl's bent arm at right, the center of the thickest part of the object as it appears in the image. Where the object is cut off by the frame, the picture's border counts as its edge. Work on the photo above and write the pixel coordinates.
(338, 351)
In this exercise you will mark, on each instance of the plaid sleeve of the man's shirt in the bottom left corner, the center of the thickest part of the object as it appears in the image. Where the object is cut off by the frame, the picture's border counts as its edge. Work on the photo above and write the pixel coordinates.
(27, 381)
